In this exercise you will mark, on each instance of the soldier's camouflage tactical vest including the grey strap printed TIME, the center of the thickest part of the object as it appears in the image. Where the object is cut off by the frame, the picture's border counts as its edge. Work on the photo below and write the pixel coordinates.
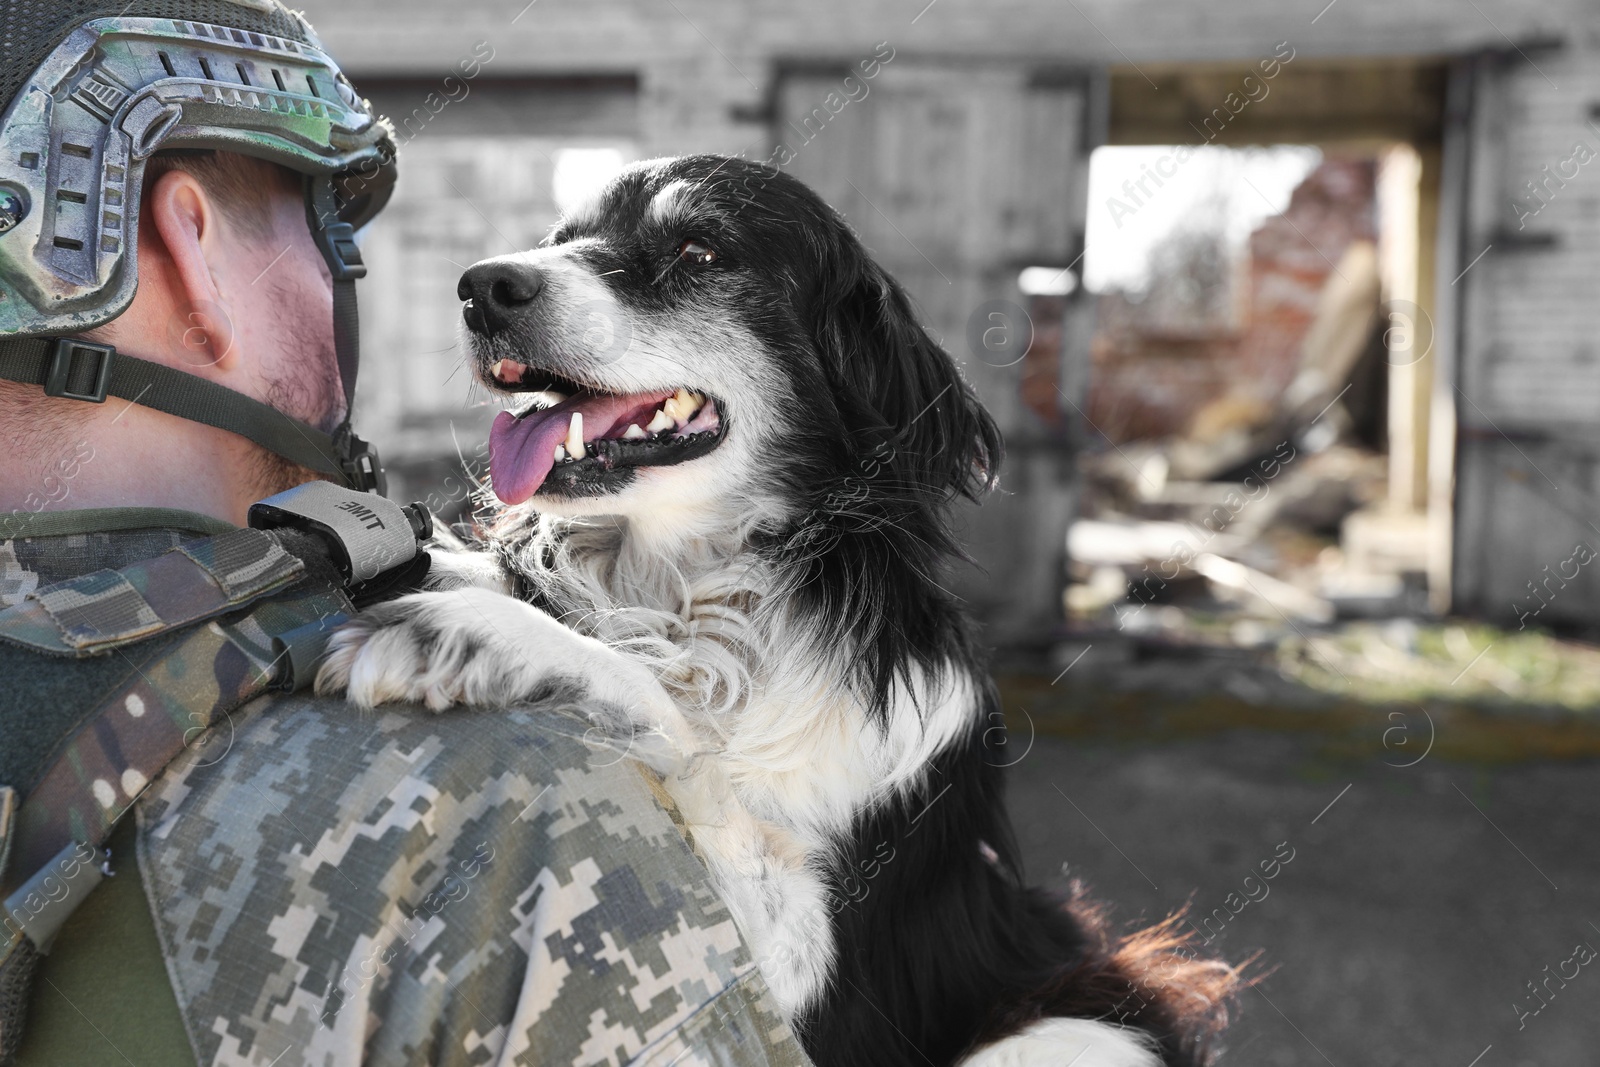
(140, 663)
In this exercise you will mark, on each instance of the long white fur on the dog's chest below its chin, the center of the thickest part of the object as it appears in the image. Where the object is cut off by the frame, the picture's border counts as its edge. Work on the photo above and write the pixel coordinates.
(785, 757)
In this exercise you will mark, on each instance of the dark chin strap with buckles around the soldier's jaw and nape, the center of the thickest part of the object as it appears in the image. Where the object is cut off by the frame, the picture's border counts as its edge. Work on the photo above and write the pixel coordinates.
(81, 370)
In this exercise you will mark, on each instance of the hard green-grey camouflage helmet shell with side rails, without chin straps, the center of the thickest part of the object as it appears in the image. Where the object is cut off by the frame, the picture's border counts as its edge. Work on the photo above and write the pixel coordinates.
(92, 90)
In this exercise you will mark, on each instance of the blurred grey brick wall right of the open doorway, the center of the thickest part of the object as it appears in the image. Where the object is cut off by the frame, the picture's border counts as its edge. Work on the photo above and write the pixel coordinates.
(1529, 463)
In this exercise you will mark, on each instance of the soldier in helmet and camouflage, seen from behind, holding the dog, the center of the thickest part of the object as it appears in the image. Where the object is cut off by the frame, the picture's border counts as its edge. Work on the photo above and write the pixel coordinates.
(290, 884)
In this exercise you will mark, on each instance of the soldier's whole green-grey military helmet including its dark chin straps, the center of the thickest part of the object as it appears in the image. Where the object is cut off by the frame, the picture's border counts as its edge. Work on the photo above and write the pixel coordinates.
(90, 92)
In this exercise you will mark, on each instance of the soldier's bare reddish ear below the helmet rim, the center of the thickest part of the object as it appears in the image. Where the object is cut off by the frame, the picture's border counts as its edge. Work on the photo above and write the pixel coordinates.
(190, 228)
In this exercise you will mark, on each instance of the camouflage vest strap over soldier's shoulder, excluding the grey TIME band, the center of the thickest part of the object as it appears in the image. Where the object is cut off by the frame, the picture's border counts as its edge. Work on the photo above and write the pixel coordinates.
(239, 625)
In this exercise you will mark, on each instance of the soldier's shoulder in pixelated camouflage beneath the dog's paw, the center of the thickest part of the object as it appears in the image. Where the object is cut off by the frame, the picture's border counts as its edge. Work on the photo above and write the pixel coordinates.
(479, 887)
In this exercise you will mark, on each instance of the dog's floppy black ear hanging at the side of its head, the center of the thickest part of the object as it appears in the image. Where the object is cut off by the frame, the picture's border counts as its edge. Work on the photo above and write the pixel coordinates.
(902, 398)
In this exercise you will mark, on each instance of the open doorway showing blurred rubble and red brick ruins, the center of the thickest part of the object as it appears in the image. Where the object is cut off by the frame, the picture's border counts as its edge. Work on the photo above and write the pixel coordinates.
(1260, 250)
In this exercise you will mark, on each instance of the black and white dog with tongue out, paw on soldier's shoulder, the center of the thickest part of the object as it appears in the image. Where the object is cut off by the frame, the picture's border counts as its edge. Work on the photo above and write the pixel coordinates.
(729, 482)
